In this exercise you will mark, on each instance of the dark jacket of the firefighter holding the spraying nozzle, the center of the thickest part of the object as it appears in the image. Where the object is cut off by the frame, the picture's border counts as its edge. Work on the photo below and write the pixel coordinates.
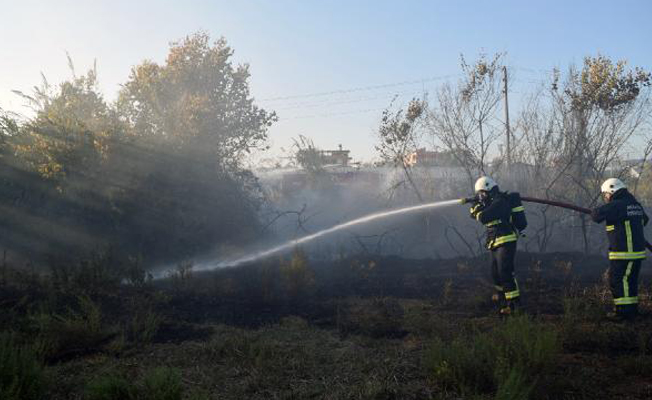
(497, 218)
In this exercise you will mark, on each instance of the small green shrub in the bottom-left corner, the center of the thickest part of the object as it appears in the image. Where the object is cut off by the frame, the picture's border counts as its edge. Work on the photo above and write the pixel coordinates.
(21, 373)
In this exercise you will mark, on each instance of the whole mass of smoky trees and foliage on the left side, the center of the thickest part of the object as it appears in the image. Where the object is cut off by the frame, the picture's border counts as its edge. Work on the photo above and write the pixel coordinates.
(151, 175)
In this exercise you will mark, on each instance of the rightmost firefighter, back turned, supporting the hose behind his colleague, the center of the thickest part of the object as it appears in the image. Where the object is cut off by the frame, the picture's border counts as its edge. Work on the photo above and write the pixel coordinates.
(624, 218)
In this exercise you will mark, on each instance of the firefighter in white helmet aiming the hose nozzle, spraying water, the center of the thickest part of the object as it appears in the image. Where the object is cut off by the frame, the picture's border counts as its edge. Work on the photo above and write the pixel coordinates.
(504, 217)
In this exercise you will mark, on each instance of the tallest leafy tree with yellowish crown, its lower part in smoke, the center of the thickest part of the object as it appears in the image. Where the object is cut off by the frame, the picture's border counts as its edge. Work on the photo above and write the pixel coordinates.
(191, 123)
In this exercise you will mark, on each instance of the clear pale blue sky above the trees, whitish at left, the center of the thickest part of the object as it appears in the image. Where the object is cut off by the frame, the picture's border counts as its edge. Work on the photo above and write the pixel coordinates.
(328, 68)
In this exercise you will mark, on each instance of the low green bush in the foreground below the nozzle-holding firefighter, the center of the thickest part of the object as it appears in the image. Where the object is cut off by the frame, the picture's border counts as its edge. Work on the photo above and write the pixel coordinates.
(508, 361)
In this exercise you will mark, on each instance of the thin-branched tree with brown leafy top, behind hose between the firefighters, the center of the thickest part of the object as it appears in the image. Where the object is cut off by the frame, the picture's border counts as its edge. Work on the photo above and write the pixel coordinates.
(599, 108)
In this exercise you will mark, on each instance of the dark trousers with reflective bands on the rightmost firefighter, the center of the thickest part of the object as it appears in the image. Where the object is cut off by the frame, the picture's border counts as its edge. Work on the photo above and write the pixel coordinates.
(623, 279)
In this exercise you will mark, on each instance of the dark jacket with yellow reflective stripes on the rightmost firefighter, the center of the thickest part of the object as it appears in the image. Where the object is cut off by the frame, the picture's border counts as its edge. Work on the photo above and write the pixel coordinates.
(625, 219)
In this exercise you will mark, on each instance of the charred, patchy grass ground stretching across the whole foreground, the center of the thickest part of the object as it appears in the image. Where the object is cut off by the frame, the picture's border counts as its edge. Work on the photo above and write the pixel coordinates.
(354, 328)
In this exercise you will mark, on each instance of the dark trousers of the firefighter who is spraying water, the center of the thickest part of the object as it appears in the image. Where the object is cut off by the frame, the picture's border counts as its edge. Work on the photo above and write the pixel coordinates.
(502, 271)
